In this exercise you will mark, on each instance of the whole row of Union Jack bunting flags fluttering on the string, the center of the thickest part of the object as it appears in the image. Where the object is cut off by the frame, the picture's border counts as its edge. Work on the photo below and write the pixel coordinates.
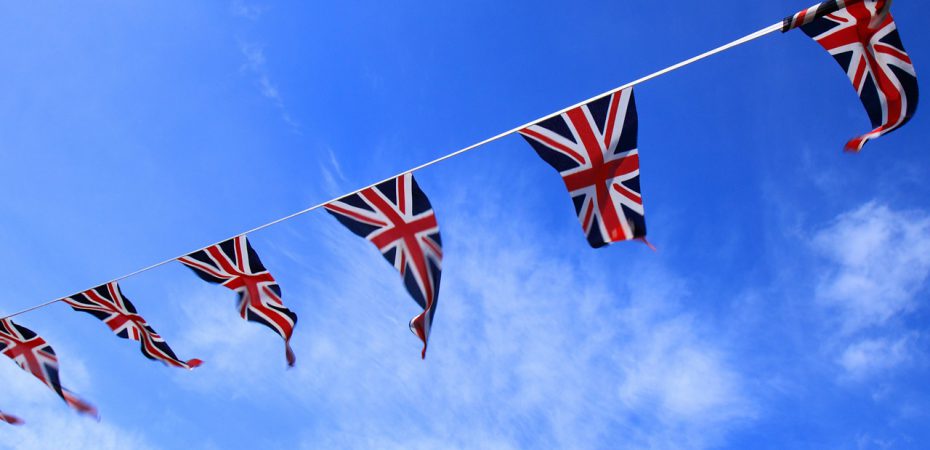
(593, 147)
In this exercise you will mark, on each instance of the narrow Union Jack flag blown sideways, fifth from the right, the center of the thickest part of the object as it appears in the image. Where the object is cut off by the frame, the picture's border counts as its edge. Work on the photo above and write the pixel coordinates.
(108, 304)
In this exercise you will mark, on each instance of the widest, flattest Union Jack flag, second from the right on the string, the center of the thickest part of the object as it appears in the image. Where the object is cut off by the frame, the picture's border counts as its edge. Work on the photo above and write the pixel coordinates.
(594, 148)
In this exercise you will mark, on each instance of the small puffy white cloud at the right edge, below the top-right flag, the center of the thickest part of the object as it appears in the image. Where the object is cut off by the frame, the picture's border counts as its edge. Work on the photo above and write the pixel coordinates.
(879, 262)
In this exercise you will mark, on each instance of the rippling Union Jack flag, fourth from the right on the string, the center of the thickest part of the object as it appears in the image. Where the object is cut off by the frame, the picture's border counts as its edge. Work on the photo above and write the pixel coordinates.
(235, 265)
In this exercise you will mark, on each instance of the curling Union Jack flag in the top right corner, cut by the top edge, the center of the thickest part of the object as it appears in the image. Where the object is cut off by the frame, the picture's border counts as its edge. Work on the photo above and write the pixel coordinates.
(864, 40)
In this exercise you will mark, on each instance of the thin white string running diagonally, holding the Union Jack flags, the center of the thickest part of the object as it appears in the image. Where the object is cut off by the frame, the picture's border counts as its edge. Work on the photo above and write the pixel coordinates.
(745, 39)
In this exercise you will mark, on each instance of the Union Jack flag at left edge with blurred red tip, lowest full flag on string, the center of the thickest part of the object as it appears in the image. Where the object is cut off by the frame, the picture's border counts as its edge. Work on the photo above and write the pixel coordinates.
(37, 357)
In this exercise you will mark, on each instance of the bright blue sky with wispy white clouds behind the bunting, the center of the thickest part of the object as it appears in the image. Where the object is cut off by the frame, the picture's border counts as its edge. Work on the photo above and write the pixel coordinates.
(786, 306)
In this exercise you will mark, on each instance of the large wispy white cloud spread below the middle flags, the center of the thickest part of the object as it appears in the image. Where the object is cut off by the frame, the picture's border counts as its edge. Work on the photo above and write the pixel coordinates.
(527, 350)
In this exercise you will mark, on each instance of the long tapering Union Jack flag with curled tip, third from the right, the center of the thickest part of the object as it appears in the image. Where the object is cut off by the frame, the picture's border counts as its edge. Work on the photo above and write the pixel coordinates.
(397, 218)
